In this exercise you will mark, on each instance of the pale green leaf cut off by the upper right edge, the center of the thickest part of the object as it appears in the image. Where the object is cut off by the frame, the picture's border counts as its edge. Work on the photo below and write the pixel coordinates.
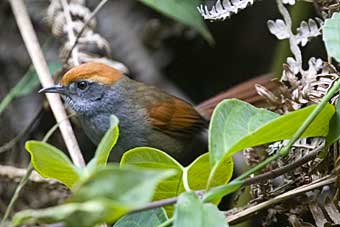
(331, 36)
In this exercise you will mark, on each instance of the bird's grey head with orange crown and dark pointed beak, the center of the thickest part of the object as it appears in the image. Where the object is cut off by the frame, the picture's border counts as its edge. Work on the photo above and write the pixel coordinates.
(87, 88)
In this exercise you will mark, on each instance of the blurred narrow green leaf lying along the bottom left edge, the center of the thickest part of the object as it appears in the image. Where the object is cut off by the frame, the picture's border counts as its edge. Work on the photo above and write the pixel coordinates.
(87, 214)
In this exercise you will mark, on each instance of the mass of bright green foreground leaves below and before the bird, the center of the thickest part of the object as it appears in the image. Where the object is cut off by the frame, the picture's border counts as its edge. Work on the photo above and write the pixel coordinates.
(146, 173)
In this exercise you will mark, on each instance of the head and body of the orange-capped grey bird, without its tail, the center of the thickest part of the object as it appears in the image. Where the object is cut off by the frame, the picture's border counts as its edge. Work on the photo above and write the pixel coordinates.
(147, 116)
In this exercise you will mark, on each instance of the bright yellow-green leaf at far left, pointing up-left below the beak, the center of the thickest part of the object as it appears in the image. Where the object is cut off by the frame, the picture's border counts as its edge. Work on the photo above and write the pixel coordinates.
(50, 162)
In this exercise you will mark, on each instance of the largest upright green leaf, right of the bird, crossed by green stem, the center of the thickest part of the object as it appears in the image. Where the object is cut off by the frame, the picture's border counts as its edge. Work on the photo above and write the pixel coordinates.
(236, 125)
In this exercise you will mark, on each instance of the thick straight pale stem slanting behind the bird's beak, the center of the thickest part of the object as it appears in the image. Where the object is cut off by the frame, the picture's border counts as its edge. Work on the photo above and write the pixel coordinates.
(39, 62)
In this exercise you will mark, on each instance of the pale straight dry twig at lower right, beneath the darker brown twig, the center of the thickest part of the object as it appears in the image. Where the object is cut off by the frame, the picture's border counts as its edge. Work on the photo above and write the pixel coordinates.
(232, 219)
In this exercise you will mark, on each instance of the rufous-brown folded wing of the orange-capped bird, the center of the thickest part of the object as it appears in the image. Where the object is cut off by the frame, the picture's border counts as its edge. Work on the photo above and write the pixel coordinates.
(176, 118)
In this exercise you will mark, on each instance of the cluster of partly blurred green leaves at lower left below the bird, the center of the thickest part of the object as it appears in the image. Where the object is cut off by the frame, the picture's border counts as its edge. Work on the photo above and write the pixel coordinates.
(101, 193)
